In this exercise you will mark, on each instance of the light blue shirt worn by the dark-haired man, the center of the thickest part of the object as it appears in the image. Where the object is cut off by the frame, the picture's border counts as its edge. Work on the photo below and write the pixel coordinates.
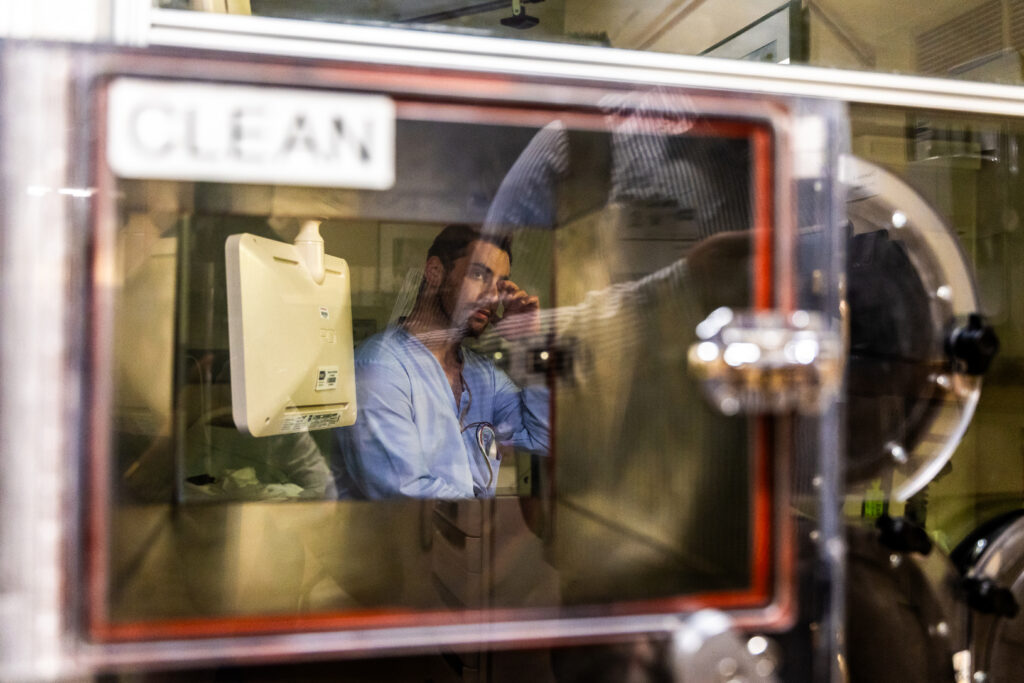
(408, 439)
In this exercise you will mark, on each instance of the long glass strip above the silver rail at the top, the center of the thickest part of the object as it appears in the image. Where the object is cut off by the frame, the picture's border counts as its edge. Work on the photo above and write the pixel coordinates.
(978, 40)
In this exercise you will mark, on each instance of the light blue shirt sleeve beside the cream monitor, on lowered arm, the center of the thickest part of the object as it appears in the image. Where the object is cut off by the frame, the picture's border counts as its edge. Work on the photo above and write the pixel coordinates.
(381, 455)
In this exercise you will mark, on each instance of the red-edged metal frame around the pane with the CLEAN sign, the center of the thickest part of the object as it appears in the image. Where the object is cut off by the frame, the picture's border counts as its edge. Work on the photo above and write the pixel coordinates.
(321, 638)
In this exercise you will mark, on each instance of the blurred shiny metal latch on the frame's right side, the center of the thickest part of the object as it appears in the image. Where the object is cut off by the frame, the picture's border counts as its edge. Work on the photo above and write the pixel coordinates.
(767, 362)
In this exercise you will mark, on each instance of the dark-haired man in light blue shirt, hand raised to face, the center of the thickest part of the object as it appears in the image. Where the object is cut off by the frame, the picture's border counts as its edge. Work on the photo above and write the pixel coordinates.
(432, 412)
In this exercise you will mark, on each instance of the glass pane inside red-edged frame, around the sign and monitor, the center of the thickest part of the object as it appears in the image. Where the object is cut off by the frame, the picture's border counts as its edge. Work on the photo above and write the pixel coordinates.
(527, 437)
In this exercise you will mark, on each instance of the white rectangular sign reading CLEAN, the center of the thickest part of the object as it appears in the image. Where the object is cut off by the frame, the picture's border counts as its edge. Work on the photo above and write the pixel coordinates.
(232, 134)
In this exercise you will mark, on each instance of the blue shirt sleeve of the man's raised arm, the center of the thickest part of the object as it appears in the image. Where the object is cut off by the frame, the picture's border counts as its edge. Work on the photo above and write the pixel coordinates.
(522, 416)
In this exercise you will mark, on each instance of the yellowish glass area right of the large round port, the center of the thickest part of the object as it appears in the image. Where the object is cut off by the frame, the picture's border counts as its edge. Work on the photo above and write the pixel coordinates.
(968, 169)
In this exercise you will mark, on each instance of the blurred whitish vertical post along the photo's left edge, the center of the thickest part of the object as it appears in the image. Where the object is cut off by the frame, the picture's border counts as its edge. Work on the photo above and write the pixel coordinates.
(40, 417)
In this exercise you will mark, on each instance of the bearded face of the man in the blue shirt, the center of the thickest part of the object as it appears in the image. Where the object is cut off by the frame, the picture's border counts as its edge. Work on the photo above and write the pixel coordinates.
(472, 289)
